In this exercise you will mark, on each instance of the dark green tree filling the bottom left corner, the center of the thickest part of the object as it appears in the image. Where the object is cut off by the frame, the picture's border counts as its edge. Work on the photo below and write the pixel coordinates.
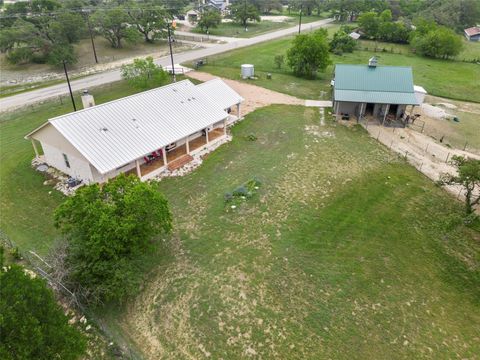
(32, 325)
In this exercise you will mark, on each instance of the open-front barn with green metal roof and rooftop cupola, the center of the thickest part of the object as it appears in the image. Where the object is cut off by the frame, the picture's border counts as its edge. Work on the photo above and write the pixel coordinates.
(378, 92)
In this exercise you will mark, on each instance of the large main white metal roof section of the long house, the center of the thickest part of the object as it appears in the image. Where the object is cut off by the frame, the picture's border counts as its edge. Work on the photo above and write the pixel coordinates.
(113, 134)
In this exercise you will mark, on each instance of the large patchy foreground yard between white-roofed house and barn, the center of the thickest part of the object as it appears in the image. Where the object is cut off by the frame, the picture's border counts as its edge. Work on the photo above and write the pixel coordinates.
(345, 252)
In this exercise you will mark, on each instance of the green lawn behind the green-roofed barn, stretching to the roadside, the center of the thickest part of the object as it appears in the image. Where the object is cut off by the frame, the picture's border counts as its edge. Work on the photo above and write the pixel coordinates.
(450, 79)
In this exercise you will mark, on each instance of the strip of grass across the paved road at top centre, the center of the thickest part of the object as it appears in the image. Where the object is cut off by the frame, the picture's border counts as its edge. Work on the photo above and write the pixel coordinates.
(233, 29)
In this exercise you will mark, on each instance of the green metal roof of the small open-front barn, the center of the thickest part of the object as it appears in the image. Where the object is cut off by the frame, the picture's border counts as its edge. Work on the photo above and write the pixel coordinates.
(376, 84)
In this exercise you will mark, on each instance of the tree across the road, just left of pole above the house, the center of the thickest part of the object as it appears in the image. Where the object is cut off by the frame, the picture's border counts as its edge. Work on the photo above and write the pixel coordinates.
(151, 21)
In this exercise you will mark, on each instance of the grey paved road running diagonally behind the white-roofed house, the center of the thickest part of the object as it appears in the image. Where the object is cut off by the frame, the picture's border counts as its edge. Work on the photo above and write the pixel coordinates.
(30, 97)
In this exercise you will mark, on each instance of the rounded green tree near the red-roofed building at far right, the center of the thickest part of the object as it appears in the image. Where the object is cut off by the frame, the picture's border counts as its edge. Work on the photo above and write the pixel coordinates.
(441, 42)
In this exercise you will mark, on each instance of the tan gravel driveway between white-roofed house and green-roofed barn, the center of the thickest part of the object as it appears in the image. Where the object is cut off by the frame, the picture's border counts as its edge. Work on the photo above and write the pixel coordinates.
(255, 96)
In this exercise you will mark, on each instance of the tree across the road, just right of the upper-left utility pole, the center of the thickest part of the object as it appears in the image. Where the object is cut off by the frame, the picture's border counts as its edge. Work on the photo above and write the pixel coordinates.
(113, 25)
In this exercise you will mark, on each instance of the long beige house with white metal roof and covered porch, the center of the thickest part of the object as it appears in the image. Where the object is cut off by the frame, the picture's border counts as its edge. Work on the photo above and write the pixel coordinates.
(144, 134)
